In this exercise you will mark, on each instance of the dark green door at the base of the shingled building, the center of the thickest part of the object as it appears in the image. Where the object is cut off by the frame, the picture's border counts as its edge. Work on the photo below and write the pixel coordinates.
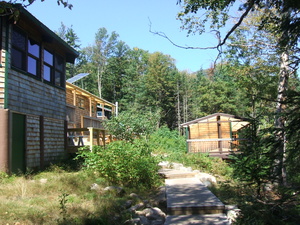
(18, 143)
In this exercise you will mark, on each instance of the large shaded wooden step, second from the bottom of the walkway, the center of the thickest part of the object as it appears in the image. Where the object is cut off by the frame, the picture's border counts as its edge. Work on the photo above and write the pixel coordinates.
(188, 196)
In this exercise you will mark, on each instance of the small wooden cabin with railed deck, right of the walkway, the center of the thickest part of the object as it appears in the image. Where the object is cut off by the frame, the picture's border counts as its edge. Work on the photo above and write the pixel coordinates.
(215, 134)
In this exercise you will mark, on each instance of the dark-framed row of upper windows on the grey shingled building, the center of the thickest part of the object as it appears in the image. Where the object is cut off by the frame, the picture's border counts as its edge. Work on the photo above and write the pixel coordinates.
(26, 56)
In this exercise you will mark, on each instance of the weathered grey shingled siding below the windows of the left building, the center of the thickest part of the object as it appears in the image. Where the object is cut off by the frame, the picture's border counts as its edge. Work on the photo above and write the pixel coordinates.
(29, 96)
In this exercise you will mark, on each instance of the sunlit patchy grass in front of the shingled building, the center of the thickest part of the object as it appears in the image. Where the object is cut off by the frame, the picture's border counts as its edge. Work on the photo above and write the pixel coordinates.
(57, 196)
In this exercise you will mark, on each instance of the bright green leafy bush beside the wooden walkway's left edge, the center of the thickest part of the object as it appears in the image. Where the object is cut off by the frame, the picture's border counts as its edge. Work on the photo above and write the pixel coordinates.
(123, 163)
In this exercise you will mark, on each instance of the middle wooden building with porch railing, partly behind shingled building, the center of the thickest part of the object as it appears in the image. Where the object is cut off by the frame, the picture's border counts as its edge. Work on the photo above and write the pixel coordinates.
(85, 115)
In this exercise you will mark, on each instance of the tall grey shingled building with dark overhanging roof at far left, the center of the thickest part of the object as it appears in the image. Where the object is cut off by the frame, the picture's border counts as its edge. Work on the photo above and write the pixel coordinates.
(32, 92)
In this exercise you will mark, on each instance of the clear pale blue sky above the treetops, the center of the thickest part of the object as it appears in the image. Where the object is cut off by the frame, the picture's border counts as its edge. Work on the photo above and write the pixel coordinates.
(130, 19)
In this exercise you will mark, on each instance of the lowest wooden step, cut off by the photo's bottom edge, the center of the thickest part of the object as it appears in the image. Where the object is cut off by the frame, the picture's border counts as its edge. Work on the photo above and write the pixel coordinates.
(211, 219)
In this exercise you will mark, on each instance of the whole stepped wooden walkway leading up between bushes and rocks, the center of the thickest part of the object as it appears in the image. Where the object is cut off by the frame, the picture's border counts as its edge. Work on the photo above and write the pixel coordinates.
(190, 202)
